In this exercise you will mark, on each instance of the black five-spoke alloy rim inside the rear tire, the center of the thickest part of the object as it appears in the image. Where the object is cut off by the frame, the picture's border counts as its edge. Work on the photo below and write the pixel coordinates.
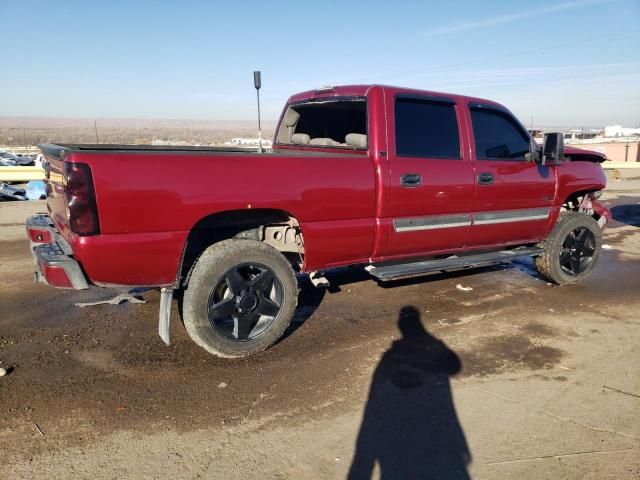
(245, 302)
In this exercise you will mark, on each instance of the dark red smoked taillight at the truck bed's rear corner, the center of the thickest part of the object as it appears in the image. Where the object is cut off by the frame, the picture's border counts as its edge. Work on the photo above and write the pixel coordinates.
(81, 199)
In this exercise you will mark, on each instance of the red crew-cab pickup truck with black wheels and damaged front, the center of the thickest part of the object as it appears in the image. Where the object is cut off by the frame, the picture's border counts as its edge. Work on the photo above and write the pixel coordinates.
(400, 181)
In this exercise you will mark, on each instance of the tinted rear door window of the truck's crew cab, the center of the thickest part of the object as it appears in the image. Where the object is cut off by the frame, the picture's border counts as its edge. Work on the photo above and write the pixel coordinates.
(426, 129)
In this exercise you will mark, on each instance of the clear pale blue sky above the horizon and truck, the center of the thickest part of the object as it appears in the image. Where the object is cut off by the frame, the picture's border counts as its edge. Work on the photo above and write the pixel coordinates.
(556, 63)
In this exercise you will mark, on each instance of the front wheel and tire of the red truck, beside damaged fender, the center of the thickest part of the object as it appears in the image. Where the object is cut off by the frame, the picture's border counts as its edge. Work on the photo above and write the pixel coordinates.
(571, 250)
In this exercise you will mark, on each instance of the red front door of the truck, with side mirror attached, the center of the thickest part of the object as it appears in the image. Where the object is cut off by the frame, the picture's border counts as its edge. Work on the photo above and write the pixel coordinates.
(513, 195)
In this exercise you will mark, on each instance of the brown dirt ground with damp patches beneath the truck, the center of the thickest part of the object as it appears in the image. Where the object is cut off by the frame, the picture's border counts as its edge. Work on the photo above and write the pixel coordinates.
(418, 379)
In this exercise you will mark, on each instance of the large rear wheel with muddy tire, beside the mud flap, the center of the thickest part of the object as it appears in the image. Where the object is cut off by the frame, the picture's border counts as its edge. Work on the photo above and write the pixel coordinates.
(229, 307)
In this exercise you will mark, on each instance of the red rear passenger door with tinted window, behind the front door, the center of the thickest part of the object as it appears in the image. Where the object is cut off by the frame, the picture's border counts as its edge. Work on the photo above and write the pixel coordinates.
(427, 207)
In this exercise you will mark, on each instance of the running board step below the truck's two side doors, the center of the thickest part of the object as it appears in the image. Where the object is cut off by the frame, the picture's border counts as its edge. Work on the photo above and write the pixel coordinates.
(392, 272)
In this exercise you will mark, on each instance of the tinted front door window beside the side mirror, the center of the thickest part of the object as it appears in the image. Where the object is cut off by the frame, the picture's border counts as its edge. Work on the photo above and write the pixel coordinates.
(497, 136)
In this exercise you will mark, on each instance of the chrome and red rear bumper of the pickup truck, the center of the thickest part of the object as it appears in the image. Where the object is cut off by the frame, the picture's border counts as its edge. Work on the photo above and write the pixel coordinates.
(52, 256)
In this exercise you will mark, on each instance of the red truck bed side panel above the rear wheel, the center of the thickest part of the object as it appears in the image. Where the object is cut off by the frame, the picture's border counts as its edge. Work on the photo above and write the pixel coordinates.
(149, 198)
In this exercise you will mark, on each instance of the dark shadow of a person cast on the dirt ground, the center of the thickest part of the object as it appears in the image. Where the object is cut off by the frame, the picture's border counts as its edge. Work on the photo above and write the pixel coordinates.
(410, 427)
